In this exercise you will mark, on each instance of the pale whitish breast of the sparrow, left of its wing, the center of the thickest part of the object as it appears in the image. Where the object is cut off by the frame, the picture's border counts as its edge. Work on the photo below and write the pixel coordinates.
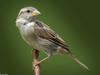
(27, 33)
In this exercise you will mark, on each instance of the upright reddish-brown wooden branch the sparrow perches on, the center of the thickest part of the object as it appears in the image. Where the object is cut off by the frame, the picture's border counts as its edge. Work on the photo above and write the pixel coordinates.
(36, 68)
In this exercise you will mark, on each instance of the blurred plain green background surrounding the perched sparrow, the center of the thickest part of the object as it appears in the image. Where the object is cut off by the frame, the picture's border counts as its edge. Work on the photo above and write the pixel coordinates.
(77, 21)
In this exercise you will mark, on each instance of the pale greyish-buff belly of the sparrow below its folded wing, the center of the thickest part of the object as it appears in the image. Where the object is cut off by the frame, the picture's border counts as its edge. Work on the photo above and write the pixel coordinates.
(38, 43)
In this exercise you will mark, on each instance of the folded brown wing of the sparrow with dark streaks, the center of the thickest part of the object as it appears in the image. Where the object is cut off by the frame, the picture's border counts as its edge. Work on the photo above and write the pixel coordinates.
(45, 32)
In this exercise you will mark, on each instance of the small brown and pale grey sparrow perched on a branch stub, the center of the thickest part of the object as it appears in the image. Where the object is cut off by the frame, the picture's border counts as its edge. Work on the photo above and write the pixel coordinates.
(40, 36)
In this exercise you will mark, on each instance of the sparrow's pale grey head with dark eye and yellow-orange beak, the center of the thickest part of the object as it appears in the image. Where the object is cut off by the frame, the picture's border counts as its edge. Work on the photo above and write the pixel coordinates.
(28, 12)
